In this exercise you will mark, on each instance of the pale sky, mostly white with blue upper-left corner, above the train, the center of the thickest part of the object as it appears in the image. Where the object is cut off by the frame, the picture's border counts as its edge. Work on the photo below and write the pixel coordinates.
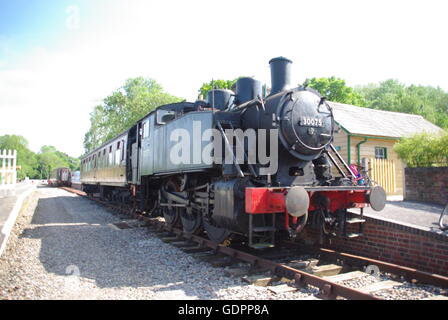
(60, 58)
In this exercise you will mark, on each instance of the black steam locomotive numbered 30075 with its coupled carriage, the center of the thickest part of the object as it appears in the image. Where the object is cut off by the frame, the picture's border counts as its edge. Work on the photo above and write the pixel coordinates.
(238, 164)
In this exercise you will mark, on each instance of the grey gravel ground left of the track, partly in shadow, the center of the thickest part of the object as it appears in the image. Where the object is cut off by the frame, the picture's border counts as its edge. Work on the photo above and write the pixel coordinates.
(66, 247)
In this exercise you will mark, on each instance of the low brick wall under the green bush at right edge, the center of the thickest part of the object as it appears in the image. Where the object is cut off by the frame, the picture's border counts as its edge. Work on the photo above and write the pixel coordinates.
(427, 184)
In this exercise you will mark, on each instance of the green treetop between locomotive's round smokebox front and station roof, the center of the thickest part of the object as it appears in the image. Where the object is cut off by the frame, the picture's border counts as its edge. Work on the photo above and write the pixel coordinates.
(335, 89)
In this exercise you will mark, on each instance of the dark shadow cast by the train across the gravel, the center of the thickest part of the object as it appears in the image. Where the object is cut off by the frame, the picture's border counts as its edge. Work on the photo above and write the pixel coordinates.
(112, 258)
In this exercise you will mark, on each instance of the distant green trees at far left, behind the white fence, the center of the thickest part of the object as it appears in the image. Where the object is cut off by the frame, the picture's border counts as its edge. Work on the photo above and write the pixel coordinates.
(40, 165)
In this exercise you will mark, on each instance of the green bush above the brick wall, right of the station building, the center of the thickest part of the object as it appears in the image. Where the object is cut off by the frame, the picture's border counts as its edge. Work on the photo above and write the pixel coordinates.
(424, 150)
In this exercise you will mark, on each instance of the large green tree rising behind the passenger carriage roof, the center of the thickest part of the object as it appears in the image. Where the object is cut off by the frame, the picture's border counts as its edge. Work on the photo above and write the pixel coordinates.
(123, 108)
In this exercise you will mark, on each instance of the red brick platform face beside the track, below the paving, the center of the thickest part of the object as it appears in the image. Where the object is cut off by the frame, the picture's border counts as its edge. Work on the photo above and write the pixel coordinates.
(395, 243)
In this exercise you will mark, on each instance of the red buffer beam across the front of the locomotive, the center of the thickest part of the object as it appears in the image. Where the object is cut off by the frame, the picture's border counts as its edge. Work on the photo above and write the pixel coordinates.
(272, 200)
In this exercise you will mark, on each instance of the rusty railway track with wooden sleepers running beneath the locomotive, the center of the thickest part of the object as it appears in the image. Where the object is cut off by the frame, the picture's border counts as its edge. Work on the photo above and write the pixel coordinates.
(290, 268)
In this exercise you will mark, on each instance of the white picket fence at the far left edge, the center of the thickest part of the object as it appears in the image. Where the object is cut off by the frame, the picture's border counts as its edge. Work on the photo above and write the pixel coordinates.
(8, 172)
